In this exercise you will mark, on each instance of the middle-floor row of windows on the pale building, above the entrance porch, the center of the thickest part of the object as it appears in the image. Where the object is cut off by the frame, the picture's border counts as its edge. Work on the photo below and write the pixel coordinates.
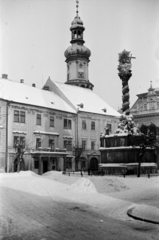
(67, 144)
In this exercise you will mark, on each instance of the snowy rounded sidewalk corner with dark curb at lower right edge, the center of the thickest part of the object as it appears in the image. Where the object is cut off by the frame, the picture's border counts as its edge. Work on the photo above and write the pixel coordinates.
(145, 213)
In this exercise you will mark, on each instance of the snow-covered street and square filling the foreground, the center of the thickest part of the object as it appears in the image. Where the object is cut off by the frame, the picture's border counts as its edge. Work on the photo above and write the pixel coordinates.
(56, 206)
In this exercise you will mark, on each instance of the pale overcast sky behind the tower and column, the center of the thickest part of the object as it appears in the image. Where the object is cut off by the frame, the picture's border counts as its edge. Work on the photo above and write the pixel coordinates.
(35, 33)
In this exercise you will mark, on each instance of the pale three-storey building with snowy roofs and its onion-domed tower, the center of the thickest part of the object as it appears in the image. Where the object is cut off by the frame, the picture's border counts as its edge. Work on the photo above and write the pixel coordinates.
(60, 125)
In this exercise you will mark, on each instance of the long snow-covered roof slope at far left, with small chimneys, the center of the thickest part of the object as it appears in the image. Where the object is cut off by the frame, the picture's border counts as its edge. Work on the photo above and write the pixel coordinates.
(22, 93)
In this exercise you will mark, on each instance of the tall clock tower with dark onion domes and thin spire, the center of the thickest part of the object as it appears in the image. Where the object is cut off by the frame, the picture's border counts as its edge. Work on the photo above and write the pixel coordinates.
(77, 56)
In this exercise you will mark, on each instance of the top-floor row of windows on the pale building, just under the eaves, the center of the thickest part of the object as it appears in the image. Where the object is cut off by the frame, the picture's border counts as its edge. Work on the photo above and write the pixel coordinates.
(19, 116)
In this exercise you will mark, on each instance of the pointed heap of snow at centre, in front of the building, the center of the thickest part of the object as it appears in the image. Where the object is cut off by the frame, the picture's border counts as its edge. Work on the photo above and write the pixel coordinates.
(83, 185)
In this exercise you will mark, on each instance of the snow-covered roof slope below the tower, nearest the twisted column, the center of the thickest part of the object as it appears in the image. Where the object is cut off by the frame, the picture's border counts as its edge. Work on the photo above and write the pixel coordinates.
(91, 102)
